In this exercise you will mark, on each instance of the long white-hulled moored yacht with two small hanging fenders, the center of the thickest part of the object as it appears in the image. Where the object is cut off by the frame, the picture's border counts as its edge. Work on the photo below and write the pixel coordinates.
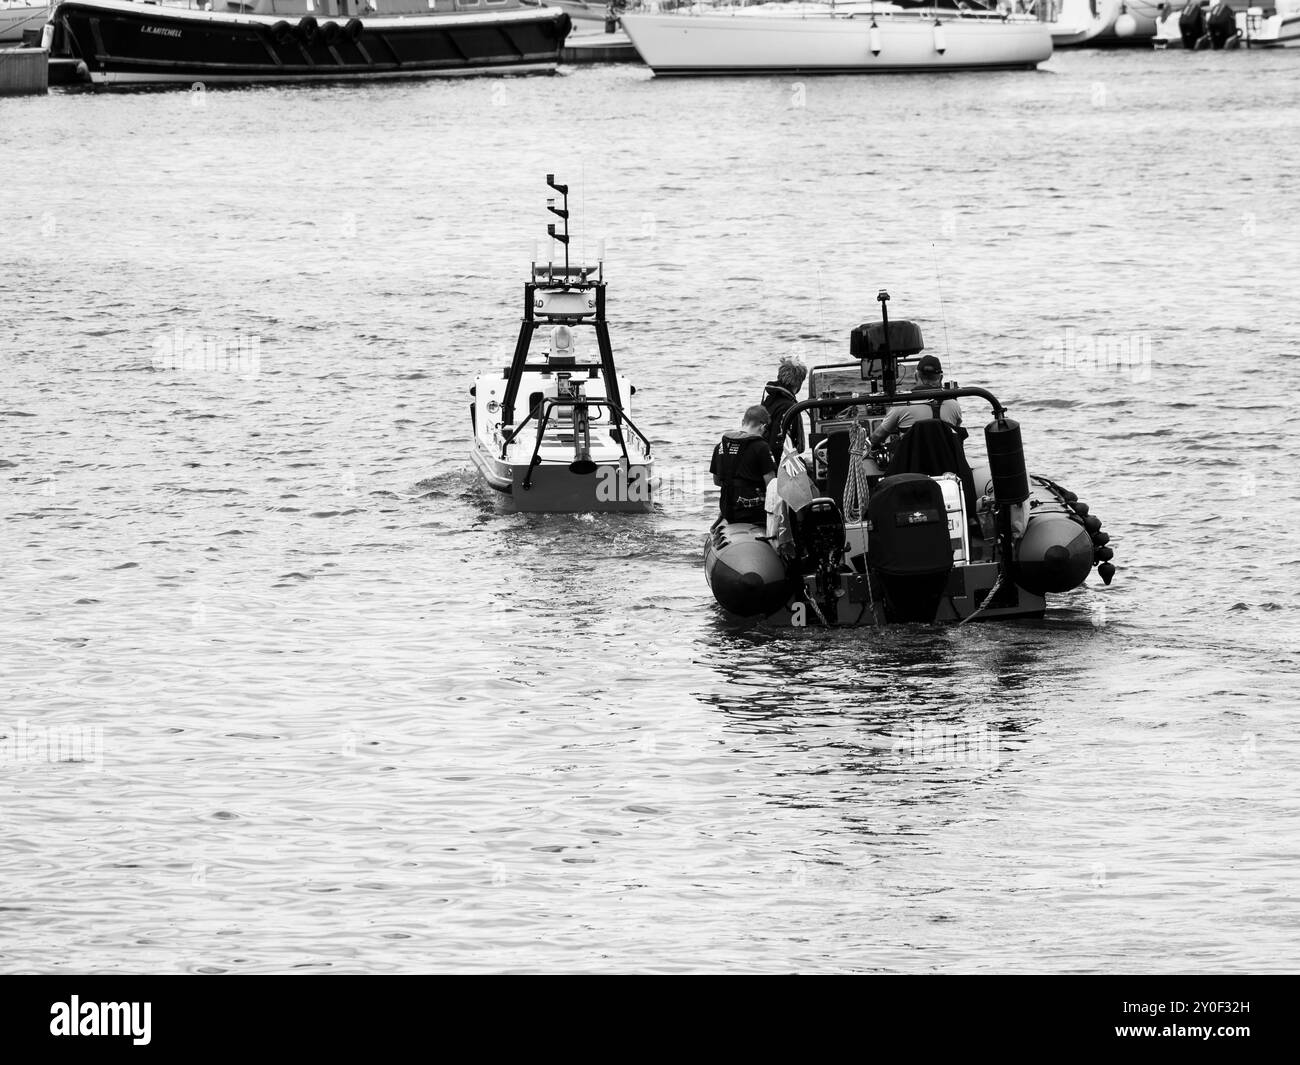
(856, 38)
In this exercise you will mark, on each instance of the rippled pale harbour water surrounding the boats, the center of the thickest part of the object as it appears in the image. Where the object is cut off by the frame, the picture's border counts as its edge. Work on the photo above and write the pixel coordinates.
(356, 717)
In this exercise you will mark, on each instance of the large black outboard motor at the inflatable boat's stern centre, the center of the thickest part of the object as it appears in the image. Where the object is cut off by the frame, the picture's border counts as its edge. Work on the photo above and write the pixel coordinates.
(909, 548)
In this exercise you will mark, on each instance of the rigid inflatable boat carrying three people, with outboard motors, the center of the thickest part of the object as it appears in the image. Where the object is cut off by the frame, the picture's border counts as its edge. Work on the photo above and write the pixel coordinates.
(911, 532)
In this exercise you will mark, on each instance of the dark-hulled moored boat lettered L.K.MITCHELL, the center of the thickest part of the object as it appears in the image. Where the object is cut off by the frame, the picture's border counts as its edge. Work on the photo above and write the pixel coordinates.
(124, 42)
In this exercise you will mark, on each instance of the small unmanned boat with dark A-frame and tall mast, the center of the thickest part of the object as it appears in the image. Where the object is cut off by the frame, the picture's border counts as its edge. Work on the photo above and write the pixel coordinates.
(575, 449)
